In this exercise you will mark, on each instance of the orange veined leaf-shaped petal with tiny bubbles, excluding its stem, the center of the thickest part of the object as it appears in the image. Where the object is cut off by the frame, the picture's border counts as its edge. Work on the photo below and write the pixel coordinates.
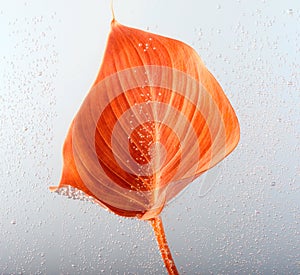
(154, 120)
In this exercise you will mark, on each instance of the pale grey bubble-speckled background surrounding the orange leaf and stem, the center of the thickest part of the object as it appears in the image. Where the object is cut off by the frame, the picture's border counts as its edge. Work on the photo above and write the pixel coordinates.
(242, 217)
